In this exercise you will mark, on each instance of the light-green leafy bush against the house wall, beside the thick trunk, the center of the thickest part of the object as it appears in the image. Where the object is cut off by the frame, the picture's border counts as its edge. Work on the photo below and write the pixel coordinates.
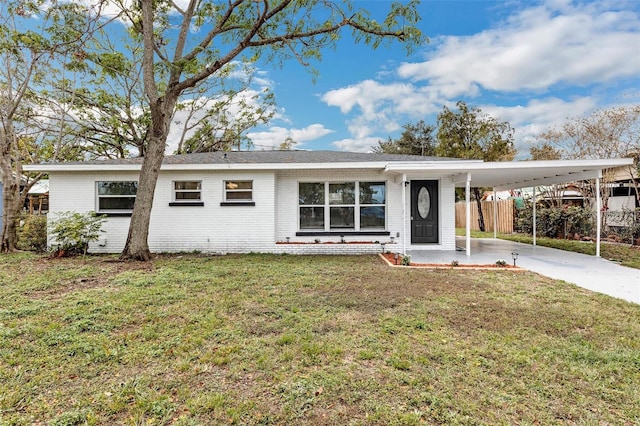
(72, 232)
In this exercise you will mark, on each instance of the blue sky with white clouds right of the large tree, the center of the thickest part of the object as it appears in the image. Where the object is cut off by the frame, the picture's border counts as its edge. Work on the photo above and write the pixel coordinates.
(531, 63)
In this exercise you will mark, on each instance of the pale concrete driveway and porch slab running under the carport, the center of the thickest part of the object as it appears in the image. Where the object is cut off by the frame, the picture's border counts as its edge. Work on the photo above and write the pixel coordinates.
(590, 272)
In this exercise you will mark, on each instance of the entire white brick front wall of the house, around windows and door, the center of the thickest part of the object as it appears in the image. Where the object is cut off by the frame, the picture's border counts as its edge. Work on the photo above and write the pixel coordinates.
(240, 229)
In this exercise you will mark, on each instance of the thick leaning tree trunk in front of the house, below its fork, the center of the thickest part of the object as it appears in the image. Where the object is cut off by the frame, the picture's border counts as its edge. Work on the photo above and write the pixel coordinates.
(137, 246)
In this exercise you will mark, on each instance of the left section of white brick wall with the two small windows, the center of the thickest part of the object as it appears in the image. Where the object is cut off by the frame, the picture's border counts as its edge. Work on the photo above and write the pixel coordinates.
(210, 228)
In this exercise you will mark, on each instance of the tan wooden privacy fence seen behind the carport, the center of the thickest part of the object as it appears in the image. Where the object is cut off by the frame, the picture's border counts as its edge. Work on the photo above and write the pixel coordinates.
(505, 215)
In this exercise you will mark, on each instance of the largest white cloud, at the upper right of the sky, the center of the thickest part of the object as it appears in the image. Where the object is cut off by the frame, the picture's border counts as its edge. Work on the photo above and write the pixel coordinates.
(556, 43)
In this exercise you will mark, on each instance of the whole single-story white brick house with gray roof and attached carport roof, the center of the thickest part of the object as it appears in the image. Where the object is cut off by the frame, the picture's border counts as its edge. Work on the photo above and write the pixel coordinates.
(304, 202)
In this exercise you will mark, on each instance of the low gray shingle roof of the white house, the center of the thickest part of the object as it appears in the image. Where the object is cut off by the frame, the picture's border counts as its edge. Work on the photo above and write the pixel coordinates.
(274, 157)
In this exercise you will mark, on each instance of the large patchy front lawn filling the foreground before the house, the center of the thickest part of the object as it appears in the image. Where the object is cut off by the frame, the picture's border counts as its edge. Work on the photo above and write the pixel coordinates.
(265, 339)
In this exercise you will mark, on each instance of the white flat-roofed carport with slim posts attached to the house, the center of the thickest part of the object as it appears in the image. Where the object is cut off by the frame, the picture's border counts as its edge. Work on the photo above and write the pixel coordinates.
(514, 175)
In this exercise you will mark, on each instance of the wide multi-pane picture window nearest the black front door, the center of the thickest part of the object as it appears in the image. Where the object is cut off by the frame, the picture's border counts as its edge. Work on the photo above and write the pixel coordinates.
(357, 206)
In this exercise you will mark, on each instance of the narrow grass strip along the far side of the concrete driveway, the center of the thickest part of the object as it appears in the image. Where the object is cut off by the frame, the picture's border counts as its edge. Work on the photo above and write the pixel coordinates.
(625, 254)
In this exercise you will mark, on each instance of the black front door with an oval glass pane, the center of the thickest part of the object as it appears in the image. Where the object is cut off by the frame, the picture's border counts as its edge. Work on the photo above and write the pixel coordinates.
(424, 211)
